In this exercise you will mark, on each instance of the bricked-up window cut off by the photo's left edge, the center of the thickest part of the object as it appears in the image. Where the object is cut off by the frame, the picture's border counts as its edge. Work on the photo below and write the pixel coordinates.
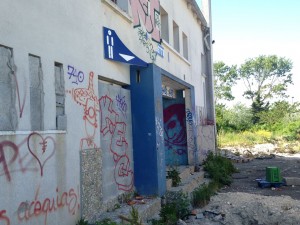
(8, 114)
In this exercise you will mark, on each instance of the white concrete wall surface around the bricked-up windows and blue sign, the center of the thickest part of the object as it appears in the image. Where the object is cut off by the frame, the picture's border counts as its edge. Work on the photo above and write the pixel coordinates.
(40, 171)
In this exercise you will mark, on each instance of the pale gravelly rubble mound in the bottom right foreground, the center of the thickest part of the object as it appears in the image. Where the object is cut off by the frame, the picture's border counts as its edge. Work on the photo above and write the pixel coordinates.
(249, 209)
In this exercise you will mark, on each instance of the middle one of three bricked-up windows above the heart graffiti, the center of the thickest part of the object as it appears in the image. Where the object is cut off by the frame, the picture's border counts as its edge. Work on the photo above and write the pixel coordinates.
(36, 93)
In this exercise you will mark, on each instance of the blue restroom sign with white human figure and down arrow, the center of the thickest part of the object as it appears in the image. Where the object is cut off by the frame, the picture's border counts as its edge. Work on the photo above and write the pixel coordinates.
(114, 49)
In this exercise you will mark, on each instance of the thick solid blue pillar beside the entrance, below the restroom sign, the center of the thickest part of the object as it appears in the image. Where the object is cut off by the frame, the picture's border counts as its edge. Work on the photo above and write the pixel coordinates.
(146, 102)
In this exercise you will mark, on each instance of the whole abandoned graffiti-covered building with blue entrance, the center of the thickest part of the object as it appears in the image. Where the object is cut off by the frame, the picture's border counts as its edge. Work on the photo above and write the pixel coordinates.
(97, 98)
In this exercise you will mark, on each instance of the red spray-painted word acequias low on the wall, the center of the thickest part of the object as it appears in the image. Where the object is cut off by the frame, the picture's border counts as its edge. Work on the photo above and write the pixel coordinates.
(43, 207)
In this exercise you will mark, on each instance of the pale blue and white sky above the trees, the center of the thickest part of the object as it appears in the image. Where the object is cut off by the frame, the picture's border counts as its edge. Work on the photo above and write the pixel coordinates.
(245, 29)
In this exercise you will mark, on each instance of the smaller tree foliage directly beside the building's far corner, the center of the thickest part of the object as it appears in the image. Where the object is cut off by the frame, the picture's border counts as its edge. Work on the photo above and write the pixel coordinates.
(225, 78)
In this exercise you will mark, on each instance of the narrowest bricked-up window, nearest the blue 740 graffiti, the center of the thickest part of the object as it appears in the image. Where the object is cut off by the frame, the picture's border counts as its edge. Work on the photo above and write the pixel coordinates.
(60, 97)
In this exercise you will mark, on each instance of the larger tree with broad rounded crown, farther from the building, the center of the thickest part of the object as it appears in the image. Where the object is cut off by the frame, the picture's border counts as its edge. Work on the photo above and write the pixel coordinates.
(265, 78)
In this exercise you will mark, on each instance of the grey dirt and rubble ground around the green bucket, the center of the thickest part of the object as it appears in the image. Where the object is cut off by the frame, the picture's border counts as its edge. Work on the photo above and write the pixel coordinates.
(245, 203)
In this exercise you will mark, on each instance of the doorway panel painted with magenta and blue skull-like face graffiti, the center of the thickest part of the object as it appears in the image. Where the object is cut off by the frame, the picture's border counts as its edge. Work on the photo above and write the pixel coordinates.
(175, 136)
